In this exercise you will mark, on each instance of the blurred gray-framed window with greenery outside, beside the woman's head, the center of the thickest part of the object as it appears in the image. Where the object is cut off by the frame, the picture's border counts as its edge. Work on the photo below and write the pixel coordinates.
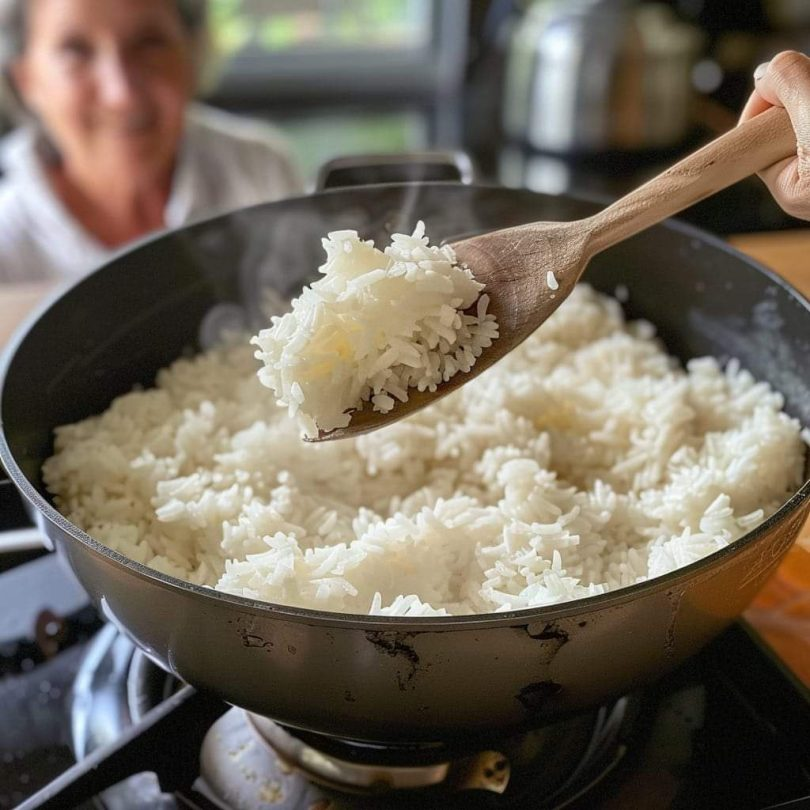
(344, 76)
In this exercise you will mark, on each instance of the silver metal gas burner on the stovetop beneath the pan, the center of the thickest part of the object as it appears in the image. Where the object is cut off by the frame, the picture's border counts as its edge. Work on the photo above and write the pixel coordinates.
(249, 761)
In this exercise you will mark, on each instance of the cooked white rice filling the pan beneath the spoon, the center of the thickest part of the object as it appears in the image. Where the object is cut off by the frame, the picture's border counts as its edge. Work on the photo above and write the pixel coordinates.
(585, 461)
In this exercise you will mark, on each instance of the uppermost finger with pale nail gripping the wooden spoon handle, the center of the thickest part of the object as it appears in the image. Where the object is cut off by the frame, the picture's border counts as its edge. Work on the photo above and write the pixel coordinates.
(786, 82)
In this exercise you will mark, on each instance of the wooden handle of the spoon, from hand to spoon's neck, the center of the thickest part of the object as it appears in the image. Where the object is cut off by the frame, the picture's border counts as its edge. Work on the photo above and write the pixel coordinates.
(746, 149)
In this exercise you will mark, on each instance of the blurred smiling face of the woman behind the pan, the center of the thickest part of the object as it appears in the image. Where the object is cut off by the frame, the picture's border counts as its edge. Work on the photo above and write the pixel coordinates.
(109, 80)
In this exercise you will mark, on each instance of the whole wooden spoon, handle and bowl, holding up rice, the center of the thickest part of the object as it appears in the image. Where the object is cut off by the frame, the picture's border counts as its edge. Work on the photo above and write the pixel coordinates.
(513, 263)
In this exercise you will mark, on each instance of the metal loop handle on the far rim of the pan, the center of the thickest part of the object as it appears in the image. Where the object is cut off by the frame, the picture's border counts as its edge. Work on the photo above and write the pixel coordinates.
(399, 167)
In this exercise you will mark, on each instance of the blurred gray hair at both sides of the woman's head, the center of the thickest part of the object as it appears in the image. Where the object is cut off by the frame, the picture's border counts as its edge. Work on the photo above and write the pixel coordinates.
(13, 31)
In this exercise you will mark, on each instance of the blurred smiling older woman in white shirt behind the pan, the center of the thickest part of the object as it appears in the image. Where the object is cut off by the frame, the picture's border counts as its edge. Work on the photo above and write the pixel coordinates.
(111, 148)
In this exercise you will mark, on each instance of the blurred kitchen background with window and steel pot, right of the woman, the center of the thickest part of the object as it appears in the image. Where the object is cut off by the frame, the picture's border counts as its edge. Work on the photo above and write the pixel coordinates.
(582, 96)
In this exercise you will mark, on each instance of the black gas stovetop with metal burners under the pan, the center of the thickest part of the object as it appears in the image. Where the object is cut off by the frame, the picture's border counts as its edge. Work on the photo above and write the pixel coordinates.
(729, 729)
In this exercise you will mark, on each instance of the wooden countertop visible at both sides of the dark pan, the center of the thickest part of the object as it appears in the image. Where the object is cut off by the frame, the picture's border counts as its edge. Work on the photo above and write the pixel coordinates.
(782, 610)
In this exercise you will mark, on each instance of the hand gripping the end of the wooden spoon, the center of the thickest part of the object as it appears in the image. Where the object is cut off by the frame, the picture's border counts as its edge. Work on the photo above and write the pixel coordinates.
(785, 82)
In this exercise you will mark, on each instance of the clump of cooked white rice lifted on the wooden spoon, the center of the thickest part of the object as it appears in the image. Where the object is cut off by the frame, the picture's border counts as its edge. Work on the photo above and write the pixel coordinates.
(376, 325)
